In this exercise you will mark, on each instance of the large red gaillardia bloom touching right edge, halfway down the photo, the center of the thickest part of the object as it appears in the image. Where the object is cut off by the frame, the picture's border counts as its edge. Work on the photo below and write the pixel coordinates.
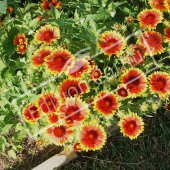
(159, 82)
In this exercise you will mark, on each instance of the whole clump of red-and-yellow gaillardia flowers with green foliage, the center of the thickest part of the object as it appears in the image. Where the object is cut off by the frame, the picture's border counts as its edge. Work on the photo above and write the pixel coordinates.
(83, 69)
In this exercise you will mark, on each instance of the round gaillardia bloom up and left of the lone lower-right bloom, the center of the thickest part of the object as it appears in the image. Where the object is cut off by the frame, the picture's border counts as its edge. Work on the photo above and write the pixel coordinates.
(106, 103)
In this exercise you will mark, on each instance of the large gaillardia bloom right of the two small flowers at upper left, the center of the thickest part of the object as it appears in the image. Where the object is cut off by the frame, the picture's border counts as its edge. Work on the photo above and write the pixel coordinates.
(47, 34)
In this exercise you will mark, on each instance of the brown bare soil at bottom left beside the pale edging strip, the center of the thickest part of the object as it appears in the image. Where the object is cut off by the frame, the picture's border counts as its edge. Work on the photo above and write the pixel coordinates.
(31, 156)
